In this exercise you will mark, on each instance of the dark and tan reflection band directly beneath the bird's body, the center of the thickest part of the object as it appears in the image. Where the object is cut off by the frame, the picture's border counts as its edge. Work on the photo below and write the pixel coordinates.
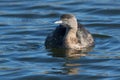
(69, 53)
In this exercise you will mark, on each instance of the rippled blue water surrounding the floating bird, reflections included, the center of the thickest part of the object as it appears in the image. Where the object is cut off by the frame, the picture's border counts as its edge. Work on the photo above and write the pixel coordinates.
(24, 25)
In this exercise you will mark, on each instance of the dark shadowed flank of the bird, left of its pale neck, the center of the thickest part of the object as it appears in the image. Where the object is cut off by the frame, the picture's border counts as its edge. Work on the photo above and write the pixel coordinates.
(54, 40)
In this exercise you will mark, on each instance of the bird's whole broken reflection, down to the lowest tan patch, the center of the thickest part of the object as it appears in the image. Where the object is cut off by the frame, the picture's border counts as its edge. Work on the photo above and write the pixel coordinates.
(70, 66)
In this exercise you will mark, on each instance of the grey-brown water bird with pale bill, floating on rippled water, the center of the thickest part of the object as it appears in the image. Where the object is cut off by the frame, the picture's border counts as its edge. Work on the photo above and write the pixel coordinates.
(70, 34)
